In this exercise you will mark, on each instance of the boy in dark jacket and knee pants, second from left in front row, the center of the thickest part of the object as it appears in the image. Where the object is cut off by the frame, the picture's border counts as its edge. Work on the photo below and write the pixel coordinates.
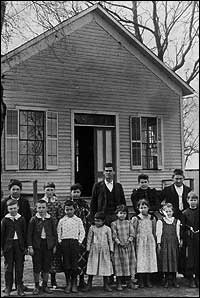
(42, 240)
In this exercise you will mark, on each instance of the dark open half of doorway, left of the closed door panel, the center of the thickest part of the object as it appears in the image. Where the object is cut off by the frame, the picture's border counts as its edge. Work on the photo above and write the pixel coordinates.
(84, 158)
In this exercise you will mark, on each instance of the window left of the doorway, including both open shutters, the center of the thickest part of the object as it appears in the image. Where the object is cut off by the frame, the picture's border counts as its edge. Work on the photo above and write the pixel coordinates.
(31, 142)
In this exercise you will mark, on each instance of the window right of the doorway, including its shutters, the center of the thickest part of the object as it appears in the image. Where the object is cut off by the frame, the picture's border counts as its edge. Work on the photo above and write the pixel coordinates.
(146, 143)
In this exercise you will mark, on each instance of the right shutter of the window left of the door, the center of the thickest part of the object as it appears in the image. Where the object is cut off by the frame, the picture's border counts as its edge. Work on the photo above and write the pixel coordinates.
(52, 140)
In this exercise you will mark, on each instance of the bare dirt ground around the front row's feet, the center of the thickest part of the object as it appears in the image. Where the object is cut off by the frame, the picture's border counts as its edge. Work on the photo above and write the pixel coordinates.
(97, 291)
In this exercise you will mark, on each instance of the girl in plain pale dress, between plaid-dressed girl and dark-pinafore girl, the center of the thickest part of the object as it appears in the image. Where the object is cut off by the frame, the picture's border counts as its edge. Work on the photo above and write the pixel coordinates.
(145, 225)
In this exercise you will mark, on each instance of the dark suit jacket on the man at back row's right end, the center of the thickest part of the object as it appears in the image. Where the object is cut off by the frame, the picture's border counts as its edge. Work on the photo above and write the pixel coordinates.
(169, 195)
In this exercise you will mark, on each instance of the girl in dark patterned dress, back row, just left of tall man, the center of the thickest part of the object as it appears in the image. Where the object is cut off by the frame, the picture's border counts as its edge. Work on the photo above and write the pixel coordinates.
(82, 211)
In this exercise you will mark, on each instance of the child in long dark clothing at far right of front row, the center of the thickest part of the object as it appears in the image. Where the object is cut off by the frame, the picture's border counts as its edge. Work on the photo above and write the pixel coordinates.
(190, 236)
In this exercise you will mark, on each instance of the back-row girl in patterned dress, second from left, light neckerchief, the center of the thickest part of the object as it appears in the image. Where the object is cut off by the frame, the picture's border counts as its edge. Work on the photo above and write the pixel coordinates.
(56, 211)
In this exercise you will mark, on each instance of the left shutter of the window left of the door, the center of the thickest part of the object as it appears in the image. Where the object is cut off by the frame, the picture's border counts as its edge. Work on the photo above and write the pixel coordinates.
(12, 140)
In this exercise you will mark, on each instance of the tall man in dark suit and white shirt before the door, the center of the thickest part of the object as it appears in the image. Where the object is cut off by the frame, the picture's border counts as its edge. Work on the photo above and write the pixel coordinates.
(106, 195)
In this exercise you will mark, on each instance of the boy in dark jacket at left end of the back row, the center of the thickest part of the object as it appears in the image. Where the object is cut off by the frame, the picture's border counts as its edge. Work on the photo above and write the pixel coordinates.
(15, 187)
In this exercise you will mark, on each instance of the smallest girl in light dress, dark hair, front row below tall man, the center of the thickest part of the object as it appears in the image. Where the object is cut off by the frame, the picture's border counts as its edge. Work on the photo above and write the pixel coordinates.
(100, 249)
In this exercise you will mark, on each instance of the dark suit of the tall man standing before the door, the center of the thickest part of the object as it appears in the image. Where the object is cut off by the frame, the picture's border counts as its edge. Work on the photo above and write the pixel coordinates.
(99, 201)
